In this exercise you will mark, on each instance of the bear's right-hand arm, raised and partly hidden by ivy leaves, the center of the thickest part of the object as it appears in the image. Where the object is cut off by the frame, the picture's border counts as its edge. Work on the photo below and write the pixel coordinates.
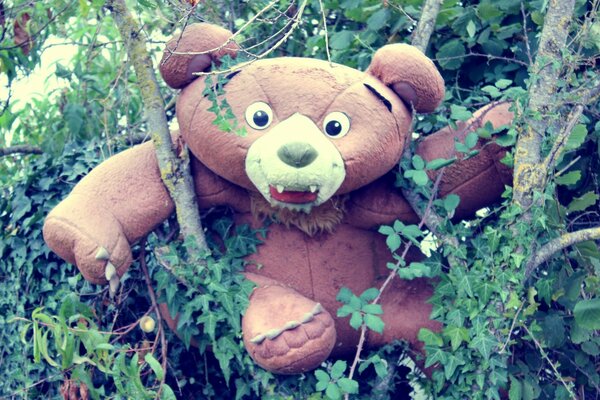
(478, 181)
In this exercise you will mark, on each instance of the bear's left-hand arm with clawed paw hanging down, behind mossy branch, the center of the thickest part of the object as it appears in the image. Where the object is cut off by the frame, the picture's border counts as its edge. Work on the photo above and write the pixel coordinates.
(116, 204)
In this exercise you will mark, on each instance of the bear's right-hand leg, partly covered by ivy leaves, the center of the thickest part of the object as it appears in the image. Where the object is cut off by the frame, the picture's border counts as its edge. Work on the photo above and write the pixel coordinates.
(405, 312)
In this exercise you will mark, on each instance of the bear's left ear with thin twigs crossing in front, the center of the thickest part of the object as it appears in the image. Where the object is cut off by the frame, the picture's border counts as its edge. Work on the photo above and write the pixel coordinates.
(194, 51)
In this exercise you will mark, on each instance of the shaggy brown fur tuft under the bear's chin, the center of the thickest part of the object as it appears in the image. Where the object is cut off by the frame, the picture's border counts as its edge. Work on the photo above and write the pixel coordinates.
(321, 219)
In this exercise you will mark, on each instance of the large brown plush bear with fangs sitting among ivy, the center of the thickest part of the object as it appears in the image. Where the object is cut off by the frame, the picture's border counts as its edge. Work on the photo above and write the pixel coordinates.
(322, 140)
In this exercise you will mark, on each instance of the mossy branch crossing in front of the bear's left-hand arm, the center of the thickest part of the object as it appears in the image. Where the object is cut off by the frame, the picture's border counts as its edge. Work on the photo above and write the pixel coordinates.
(174, 168)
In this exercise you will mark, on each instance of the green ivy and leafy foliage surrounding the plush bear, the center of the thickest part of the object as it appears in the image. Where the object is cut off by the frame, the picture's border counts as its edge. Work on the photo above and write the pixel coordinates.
(505, 333)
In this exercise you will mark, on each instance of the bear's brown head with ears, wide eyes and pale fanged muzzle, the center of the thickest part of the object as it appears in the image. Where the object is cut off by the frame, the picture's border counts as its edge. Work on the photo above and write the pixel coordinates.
(314, 129)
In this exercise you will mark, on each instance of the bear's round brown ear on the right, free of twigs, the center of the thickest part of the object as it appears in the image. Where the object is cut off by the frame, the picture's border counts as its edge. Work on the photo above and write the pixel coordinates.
(409, 73)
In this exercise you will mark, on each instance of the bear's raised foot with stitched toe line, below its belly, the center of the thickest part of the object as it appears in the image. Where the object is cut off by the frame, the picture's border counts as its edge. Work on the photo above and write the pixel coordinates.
(285, 332)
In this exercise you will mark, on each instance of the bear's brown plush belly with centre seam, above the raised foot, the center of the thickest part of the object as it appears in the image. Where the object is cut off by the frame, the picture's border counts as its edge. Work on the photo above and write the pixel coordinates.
(318, 266)
